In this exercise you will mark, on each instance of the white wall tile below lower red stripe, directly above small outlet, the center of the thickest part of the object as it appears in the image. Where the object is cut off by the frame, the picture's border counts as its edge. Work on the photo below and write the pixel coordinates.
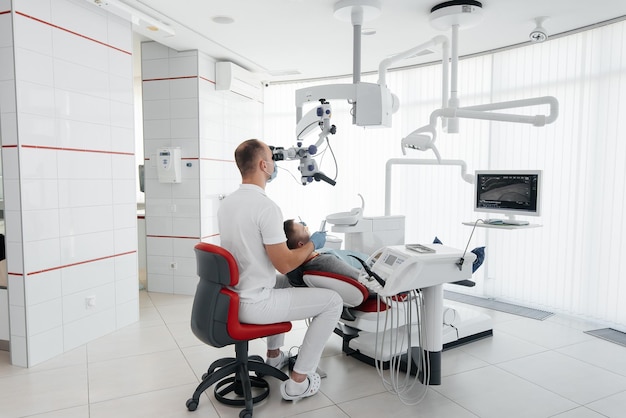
(81, 278)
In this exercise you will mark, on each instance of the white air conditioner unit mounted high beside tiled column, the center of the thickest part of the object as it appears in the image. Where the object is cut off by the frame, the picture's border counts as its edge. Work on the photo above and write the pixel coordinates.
(243, 83)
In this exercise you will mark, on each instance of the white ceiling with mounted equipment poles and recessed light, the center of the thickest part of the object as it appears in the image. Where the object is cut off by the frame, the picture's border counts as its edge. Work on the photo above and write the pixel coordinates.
(301, 39)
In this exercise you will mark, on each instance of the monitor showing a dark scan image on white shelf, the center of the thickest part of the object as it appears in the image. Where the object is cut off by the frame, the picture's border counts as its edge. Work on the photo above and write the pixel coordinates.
(508, 192)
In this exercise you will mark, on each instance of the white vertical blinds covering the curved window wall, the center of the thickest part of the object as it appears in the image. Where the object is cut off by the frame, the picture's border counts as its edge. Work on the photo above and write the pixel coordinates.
(573, 264)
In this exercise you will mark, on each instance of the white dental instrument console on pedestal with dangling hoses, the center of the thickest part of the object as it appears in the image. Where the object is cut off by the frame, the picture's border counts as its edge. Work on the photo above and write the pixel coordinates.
(404, 270)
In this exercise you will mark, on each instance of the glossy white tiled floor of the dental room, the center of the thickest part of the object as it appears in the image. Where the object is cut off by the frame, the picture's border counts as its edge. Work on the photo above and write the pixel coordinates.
(527, 369)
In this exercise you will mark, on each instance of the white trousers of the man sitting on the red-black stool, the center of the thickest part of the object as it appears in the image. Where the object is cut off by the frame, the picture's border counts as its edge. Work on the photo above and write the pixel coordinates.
(324, 306)
